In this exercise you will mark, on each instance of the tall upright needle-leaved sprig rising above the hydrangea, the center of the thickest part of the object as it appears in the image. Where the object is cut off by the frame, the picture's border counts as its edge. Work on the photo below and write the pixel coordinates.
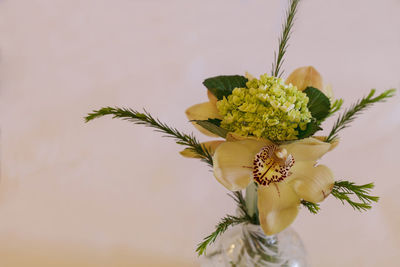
(284, 38)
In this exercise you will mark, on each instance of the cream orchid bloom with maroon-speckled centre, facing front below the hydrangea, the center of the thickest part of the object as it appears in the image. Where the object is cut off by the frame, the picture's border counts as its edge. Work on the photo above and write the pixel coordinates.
(285, 175)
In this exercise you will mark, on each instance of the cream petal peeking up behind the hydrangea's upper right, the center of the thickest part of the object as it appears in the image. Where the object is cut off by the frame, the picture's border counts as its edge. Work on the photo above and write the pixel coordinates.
(305, 76)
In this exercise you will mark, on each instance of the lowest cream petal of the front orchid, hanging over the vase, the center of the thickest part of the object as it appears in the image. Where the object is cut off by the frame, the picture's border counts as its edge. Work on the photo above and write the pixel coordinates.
(278, 206)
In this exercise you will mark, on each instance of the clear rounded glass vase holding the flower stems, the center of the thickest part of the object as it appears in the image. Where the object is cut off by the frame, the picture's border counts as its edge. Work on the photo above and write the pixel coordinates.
(246, 245)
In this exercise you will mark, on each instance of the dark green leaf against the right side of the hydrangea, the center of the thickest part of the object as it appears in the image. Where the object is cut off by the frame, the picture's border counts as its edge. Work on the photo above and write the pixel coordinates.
(319, 105)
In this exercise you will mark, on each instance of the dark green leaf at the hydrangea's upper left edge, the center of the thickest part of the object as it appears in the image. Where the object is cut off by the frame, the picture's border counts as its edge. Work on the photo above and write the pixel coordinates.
(221, 86)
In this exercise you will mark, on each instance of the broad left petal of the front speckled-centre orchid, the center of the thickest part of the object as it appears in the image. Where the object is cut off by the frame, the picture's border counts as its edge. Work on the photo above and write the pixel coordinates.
(233, 163)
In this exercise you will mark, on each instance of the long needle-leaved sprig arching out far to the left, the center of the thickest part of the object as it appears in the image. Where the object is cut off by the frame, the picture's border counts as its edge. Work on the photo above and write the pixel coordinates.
(148, 120)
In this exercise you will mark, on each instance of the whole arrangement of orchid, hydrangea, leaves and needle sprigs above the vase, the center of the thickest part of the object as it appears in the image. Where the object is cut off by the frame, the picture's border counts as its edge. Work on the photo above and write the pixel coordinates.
(268, 143)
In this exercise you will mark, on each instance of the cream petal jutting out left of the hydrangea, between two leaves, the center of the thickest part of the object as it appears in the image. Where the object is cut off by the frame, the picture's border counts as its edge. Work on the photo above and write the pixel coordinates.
(203, 111)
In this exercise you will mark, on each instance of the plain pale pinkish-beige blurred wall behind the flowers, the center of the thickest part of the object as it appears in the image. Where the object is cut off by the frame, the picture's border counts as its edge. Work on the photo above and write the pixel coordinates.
(109, 193)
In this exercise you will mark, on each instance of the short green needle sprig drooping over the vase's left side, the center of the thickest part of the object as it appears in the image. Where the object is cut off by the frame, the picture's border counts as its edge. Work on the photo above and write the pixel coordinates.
(220, 228)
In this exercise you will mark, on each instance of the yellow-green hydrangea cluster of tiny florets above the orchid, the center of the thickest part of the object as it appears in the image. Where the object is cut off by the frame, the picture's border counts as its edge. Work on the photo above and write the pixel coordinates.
(267, 108)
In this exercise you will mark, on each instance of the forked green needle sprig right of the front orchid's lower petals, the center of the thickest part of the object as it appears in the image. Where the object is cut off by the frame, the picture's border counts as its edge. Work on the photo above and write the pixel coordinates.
(342, 190)
